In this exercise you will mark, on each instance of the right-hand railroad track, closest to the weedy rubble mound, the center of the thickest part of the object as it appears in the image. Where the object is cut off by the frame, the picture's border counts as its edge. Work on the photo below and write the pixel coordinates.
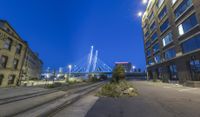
(51, 108)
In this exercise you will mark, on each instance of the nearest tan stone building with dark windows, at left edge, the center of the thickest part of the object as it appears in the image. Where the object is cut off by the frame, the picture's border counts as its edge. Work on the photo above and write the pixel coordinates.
(12, 53)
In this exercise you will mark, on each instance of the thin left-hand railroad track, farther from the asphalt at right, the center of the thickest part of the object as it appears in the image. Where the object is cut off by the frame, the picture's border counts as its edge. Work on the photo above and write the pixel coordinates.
(36, 94)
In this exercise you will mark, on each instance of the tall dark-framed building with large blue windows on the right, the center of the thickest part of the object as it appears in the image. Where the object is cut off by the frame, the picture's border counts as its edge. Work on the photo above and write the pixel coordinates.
(172, 40)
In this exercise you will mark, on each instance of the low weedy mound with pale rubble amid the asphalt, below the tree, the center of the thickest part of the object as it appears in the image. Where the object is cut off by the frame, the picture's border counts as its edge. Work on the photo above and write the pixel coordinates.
(121, 89)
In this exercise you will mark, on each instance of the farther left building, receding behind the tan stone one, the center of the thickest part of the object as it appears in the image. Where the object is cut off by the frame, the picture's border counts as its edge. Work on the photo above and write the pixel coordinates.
(32, 66)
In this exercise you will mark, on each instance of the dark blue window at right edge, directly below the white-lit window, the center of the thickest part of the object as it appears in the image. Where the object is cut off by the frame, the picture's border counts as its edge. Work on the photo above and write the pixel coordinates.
(191, 44)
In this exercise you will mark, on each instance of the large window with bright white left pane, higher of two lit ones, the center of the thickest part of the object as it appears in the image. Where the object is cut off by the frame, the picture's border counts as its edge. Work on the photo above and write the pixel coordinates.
(187, 24)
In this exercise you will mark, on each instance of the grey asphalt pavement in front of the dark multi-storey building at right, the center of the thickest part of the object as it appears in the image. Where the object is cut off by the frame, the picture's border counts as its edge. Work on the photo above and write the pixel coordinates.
(155, 100)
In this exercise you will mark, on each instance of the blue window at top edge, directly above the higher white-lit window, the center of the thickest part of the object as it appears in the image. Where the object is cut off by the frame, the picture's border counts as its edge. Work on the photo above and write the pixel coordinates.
(182, 7)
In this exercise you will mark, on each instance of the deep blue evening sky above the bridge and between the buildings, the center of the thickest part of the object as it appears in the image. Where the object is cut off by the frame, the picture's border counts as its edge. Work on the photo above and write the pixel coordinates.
(62, 31)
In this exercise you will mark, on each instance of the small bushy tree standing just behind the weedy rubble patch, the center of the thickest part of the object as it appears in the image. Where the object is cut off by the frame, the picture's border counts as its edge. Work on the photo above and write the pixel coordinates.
(118, 74)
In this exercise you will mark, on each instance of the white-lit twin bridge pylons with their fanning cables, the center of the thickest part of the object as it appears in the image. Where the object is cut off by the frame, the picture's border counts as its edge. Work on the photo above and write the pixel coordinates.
(91, 64)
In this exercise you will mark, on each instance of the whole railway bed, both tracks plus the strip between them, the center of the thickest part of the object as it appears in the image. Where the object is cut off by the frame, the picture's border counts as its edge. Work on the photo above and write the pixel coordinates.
(45, 103)
